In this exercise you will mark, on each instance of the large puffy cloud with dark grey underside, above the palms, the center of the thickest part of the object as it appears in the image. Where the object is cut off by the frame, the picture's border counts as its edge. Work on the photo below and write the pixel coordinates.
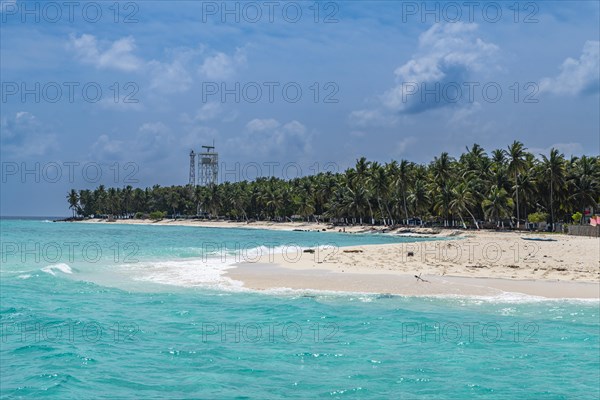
(448, 56)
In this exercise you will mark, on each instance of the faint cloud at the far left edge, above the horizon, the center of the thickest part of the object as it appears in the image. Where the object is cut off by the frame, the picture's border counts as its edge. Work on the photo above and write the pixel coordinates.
(23, 135)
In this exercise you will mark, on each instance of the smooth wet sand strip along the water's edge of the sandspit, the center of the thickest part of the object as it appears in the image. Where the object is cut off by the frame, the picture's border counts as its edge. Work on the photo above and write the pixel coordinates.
(264, 277)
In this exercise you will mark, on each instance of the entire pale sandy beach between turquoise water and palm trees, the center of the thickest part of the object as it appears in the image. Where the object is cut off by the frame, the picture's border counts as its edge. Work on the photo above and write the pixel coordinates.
(486, 263)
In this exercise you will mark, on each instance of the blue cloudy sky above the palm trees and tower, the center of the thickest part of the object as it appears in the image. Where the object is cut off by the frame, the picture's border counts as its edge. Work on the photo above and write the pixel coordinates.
(387, 80)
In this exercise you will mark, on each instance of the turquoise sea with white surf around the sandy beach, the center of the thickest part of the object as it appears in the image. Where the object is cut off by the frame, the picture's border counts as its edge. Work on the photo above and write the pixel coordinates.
(92, 311)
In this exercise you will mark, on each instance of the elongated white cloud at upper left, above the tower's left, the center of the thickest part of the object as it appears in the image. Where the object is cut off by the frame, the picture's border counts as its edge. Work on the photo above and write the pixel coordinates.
(116, 55)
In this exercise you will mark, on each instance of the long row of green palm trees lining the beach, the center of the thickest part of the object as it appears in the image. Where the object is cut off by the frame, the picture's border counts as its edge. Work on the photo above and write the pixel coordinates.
(506, 185)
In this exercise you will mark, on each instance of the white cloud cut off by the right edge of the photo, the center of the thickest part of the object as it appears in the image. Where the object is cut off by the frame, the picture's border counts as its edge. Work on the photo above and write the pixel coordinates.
(577, 76)
